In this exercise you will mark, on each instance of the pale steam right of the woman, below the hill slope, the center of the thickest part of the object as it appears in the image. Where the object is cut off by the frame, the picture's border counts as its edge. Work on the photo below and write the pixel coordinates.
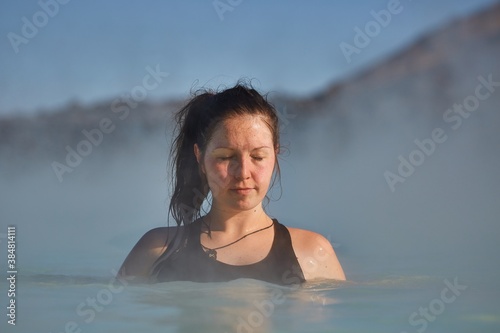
(442, 218)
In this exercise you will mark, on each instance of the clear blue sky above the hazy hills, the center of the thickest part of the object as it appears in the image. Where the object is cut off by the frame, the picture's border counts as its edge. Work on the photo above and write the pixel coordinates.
(96, 50)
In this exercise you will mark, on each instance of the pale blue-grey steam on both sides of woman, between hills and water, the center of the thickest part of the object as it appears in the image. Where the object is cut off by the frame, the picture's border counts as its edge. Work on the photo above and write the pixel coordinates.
(443, 220)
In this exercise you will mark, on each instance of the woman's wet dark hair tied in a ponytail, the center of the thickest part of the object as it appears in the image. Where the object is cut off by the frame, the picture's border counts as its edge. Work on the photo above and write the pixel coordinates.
(195, 124)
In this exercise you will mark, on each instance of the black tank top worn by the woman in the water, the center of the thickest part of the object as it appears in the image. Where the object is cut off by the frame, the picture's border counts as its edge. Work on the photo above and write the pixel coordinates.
(191, 263)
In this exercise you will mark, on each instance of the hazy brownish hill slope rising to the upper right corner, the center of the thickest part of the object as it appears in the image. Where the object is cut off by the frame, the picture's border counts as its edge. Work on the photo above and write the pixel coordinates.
(416, 85)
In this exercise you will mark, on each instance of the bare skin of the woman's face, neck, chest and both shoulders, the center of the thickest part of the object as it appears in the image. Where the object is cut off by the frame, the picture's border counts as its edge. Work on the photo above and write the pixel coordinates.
(238, 163)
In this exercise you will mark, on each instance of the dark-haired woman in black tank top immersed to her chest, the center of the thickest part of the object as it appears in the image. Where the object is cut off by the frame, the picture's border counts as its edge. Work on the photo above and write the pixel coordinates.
(226, 152)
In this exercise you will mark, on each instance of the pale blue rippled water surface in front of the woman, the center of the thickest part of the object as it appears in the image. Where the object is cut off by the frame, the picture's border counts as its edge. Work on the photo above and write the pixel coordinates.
(51, 303)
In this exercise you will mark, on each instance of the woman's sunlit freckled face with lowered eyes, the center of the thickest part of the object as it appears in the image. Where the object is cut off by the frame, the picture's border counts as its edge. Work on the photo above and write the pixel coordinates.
(239, 162)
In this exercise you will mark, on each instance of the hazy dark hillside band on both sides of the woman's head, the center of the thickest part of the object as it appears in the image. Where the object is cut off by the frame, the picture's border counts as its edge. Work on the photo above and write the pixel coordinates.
(417, 84)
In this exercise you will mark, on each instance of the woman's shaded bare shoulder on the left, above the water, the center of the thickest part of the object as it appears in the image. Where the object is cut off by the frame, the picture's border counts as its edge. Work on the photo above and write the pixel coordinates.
(143, 255)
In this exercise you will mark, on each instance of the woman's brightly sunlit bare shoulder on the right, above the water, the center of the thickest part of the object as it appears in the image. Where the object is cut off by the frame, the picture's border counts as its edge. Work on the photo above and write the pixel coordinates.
(316, 255)
